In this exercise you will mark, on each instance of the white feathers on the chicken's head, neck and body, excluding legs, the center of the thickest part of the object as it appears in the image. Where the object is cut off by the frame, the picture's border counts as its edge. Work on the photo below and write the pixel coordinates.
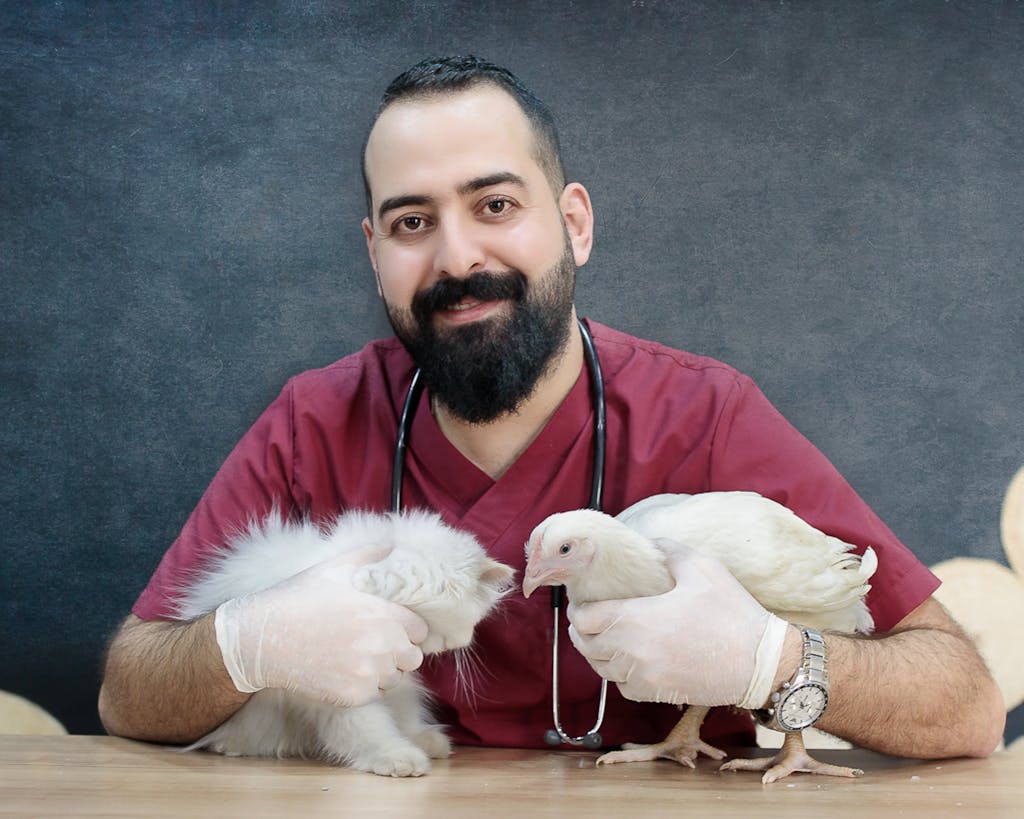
(793, 570)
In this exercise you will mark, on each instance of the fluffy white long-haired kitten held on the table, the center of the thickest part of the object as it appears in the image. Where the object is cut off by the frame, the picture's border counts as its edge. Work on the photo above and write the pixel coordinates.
(440, 573)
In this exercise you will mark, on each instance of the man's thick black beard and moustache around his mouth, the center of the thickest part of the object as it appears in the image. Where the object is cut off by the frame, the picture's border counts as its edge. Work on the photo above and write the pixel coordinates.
(489, 368)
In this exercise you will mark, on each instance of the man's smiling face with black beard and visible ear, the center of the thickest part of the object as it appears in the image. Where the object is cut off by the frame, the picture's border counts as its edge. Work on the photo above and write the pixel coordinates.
(476, 255)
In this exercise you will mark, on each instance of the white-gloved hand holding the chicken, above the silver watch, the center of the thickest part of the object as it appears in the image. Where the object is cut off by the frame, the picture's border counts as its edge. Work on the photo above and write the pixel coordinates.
(706, 642)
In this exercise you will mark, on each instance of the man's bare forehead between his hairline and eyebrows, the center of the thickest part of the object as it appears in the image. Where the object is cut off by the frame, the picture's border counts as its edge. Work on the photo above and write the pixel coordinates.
(429, 145)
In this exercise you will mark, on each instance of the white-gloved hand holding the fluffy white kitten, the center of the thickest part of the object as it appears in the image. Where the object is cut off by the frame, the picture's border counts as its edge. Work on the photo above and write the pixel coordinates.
(316, 634)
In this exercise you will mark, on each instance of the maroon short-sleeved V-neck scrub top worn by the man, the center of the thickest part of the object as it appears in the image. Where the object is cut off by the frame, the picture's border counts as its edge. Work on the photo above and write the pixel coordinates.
(676, 423)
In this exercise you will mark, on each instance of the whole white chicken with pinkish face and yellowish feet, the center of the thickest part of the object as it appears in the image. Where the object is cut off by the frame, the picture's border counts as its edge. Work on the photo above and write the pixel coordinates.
(794, 571)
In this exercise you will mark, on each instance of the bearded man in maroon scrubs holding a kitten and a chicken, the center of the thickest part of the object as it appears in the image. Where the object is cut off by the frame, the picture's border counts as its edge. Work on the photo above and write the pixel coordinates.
(475, 237)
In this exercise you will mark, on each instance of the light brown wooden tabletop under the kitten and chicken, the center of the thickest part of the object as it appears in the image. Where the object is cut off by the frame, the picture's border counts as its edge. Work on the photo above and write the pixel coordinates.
(79, 777)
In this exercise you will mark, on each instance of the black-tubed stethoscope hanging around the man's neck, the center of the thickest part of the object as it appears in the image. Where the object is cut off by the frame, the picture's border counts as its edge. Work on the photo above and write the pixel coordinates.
(557, 736)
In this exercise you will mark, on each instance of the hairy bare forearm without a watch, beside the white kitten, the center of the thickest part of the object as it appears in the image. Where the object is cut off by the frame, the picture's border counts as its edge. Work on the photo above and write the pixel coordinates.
(165, 682)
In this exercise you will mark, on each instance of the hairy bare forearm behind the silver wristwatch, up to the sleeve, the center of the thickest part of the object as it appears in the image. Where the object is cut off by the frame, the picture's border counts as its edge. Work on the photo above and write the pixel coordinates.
(921, 692)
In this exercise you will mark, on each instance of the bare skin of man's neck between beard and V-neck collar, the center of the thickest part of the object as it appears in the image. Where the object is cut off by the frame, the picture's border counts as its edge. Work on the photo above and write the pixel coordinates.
(494, 447)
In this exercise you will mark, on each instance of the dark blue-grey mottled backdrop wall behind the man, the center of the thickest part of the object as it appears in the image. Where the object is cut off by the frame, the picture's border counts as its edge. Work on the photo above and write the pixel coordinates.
(828, 196)
